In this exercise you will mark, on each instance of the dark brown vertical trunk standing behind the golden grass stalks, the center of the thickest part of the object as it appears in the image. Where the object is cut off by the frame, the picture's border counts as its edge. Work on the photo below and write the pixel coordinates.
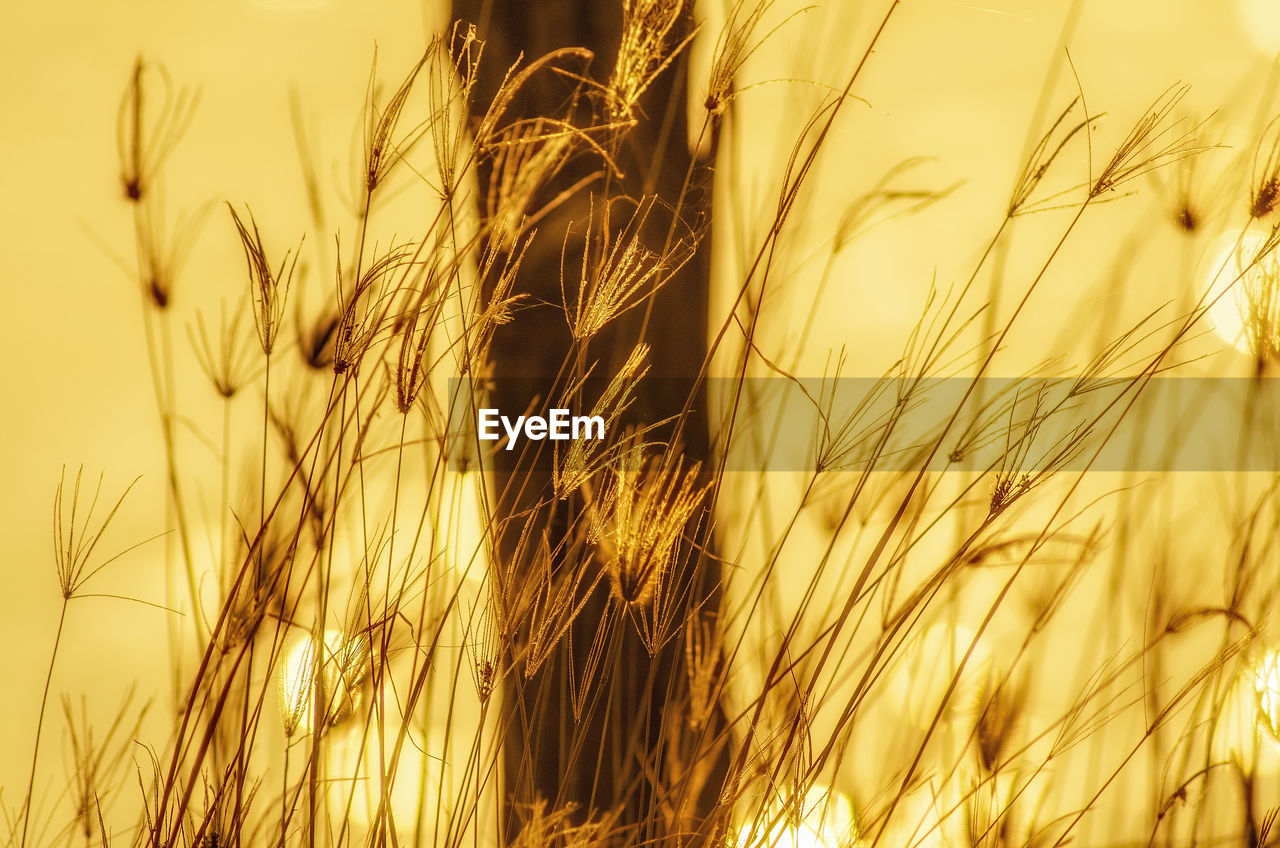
(655, 159)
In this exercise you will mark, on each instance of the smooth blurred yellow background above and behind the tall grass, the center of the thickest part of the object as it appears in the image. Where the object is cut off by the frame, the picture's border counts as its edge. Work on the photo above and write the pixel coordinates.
(961, 89)
